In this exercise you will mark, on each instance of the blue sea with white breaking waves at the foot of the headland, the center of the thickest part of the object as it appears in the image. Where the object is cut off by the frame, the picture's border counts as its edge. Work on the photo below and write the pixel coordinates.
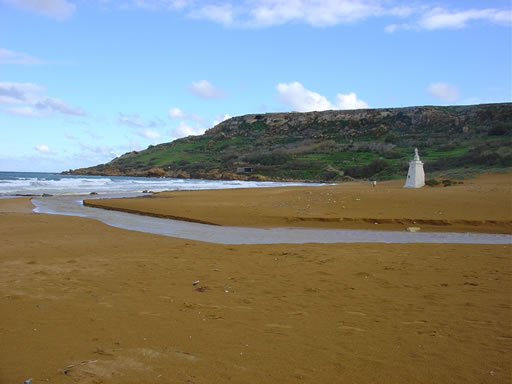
(36, 183)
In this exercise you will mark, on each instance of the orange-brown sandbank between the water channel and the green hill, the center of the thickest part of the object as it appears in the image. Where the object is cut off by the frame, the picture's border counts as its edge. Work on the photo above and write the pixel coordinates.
(483, 204)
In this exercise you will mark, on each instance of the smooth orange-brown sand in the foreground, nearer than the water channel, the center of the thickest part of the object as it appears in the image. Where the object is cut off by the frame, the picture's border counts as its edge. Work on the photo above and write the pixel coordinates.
(82, 302)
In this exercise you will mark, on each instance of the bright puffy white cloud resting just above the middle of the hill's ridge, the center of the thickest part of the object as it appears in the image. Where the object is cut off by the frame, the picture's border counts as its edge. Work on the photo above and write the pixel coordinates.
(304, 100)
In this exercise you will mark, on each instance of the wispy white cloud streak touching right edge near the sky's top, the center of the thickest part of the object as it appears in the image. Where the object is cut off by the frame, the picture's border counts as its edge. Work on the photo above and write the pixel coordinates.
(439, 18)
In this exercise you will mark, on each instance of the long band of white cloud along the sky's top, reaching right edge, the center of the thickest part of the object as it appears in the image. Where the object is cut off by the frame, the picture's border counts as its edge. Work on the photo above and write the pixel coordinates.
(325, 13)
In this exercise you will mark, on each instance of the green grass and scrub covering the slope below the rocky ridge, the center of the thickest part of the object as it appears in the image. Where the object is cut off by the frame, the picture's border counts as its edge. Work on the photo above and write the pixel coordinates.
(309, 152)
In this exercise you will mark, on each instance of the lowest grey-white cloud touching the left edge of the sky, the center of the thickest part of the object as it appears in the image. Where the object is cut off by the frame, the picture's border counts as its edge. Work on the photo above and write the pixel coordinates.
(34, 104)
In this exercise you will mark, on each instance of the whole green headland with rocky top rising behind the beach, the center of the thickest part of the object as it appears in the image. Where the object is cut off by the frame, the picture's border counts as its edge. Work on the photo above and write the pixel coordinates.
(330, 145)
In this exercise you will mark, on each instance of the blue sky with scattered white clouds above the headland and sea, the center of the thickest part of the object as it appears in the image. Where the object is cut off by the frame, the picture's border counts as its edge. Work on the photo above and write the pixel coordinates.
(84, 81)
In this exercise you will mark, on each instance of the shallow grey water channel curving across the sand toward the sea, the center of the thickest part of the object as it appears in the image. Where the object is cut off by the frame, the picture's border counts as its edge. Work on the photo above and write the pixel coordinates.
(72, 205)
